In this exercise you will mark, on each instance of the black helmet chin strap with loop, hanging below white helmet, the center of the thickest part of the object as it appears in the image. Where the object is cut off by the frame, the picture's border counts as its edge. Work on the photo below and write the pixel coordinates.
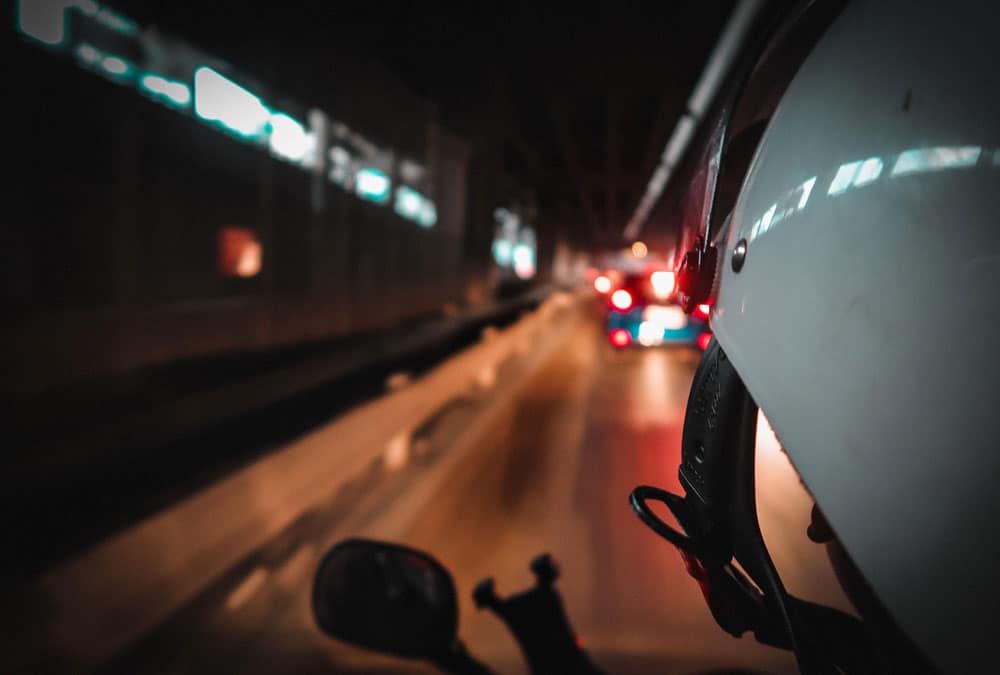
(719, 525)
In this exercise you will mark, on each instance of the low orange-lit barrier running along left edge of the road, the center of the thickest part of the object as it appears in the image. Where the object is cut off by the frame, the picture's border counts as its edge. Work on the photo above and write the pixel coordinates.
(100, 602)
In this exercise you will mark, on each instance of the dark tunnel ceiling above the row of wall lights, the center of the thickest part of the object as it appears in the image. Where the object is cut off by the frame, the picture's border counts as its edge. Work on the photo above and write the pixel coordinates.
(576, 101)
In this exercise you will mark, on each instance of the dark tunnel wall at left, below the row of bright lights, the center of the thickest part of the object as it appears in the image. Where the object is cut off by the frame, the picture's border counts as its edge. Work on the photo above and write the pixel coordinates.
(110, 248)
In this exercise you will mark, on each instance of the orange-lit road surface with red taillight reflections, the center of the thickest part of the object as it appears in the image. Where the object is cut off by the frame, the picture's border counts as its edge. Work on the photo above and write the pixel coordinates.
(552, 475)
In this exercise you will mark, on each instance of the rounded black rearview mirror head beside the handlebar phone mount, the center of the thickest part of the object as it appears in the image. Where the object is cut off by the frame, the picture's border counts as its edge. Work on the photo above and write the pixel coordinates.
(387, 598)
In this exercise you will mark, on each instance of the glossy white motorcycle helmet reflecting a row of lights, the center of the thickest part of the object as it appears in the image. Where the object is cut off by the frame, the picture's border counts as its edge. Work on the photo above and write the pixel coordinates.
(856, 292)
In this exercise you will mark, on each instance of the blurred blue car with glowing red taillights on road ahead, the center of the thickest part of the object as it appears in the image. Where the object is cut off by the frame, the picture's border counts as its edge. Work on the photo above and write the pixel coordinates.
(643, 311)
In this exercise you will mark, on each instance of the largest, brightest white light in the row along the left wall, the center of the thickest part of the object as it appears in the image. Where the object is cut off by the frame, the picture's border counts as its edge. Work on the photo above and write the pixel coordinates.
(219, 99)
